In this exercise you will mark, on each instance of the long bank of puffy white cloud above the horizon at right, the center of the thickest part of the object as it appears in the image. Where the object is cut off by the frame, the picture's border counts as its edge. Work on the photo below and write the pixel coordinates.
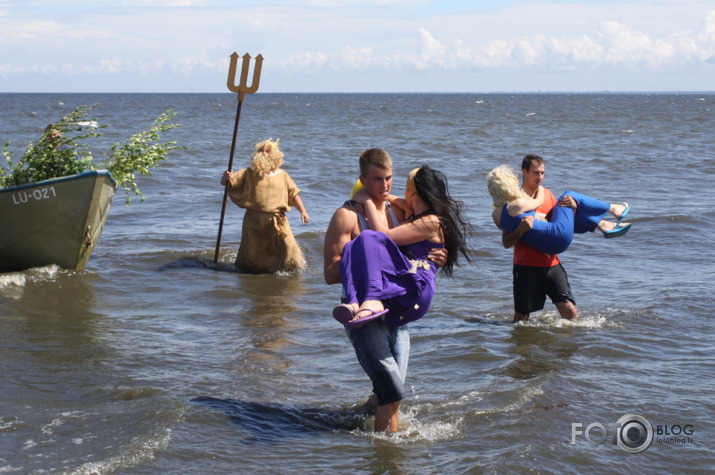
(613, 44)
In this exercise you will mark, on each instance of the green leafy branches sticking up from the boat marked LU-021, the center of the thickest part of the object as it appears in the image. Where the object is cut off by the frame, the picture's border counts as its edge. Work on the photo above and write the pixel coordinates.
(62, 151)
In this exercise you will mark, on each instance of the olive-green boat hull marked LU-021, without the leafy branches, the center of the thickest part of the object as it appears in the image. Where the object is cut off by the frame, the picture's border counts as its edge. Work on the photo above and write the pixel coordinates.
(55, 221)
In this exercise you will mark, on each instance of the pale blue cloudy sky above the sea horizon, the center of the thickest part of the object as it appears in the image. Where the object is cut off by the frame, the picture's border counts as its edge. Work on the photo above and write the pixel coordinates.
(358, 46)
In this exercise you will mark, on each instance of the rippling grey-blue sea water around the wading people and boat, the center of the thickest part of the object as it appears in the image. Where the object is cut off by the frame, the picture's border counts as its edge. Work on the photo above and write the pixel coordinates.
(153, 360)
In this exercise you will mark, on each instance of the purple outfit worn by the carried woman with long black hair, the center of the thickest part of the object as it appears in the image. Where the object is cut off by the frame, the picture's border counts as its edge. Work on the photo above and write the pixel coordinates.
(373, 267)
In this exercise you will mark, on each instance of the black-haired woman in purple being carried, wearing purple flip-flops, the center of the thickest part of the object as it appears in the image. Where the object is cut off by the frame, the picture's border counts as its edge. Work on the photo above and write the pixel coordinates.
(385, 271)
